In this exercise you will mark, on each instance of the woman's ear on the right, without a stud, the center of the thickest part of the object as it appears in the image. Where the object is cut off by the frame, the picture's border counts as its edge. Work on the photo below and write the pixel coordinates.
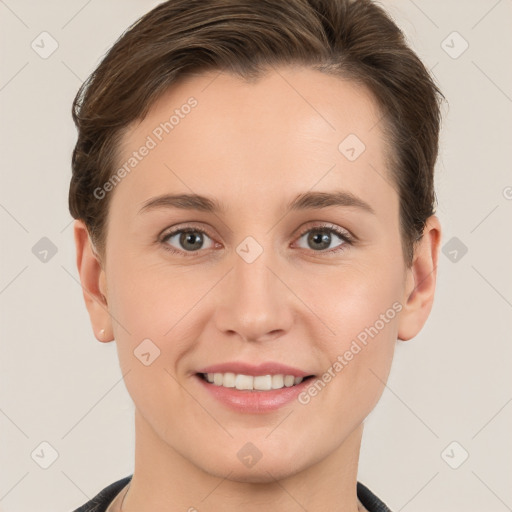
(420, 282)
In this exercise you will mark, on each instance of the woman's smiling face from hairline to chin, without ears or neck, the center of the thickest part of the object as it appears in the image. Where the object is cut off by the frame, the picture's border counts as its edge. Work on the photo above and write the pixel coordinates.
(318, 287)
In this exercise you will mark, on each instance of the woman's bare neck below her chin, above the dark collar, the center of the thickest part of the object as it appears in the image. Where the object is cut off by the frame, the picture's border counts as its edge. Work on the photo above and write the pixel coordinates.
(165, 480)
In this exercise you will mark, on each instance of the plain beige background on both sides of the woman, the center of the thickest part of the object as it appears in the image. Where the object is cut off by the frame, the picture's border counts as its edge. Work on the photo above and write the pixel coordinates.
(451, 383)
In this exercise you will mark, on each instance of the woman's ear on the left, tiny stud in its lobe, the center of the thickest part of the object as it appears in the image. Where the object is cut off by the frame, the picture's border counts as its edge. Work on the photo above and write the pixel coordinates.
(92, 278)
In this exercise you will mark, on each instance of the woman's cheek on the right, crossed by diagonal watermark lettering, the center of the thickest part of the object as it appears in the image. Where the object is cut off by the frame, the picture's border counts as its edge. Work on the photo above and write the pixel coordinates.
(359, 308)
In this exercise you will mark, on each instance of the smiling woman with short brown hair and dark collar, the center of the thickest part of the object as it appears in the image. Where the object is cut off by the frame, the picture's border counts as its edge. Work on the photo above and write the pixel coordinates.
(219, 143)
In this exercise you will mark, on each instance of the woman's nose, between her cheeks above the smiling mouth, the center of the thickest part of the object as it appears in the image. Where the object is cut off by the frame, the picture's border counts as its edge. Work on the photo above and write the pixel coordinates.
(255, 303)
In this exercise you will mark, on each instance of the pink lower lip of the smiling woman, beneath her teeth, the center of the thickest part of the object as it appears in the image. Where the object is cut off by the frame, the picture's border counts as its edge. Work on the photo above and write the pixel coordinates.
(253, 401)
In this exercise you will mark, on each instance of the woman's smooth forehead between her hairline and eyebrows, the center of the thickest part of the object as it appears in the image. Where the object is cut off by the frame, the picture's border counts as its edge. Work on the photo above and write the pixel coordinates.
(259, 143)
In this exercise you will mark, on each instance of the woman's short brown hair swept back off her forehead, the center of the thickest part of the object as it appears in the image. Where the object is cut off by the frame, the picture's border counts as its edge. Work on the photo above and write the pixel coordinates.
(356, 40)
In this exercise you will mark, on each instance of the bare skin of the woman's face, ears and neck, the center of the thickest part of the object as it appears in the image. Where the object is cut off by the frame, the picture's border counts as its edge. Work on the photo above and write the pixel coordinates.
(254, 147)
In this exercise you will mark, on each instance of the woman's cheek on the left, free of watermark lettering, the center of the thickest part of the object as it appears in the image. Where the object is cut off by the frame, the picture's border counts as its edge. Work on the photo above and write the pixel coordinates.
(159, 320)
